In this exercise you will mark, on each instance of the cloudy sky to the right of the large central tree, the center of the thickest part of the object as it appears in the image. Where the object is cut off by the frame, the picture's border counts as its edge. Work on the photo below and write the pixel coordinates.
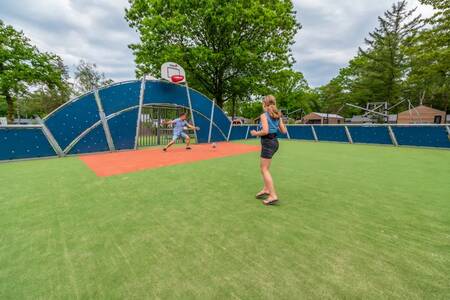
(333, 31)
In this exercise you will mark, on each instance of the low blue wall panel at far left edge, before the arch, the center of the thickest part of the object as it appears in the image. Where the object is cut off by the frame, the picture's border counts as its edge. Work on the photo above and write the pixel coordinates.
(20, 143)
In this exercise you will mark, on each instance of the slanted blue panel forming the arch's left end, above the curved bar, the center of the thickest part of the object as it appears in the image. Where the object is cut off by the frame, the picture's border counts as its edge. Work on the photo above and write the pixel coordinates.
(72, 119)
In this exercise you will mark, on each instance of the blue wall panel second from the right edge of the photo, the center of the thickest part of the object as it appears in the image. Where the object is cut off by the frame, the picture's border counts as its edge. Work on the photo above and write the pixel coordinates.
(370, 135)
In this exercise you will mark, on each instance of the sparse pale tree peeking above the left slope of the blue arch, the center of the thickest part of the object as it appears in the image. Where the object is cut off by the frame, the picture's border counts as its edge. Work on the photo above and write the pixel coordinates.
(88, 78)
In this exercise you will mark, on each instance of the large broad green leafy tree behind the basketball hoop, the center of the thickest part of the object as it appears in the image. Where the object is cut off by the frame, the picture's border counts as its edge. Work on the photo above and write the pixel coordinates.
(220, 43)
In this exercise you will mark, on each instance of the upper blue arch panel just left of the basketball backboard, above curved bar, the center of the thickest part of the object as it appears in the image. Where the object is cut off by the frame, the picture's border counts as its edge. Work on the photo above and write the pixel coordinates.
(119, 97)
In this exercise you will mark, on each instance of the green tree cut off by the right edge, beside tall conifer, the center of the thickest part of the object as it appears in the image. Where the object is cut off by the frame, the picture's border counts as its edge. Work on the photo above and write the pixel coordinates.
(429, 78)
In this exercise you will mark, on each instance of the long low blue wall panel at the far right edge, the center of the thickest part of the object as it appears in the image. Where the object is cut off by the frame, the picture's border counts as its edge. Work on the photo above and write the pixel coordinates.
(424, 136)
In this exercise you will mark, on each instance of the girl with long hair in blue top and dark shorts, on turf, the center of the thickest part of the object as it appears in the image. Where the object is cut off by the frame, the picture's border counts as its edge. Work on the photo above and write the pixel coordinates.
(271, 123)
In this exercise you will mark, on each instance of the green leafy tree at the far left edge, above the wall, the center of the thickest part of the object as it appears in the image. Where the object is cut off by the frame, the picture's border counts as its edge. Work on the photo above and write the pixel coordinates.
(23, 66)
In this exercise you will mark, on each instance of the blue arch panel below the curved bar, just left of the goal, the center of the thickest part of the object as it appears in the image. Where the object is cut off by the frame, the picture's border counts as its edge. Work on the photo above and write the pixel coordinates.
(123, 129)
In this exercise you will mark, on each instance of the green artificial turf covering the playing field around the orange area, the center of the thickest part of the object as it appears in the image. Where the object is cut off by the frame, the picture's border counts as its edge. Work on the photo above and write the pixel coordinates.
(354, 222)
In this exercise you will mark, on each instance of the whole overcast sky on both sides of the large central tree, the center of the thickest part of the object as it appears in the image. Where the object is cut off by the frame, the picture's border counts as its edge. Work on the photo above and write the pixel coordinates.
(96, 31)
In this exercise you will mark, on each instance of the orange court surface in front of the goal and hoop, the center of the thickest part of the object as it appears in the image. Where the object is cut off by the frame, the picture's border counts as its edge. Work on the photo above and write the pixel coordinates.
(109, 164)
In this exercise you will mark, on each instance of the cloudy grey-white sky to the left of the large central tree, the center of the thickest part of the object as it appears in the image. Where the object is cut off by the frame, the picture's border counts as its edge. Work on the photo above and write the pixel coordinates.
(92, 30)
